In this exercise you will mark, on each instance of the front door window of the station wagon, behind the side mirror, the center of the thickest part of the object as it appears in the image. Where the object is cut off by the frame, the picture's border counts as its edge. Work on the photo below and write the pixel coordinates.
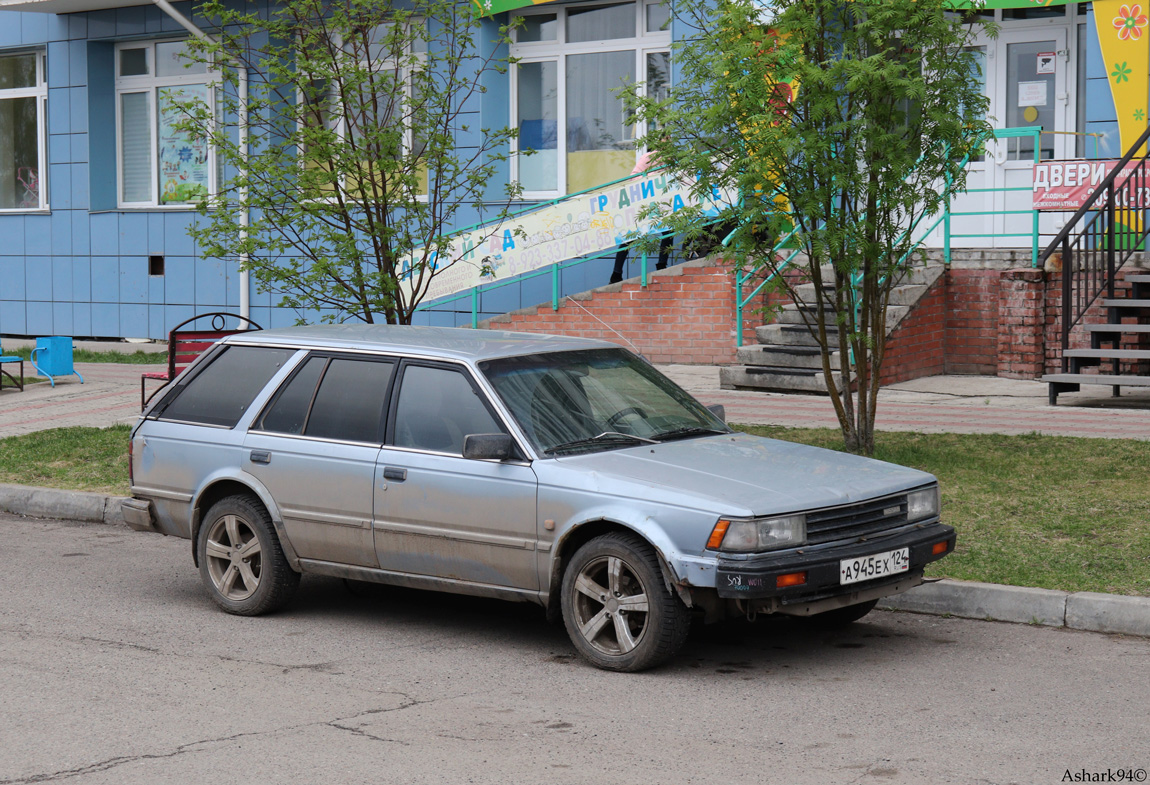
(438, 409)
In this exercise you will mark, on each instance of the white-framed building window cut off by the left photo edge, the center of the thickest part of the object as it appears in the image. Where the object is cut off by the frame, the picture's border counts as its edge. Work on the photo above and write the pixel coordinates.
(24, 112)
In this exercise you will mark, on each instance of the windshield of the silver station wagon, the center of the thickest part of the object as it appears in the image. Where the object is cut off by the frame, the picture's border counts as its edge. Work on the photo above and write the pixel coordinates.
(596, 399)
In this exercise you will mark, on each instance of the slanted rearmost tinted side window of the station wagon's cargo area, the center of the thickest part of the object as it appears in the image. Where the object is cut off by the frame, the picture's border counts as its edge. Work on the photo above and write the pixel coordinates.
(221, 394)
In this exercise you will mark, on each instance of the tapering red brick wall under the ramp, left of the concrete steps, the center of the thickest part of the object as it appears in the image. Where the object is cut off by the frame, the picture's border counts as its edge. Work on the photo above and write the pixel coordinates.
(686, 315)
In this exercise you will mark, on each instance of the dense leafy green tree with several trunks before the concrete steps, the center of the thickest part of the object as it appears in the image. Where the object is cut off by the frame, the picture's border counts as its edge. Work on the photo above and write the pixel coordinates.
(834, 127)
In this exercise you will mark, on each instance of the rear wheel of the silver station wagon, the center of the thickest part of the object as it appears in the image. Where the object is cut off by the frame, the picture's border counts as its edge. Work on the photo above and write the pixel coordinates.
(242, 564)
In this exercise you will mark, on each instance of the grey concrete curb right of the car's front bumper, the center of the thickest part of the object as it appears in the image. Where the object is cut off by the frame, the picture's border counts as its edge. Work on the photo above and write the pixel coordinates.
(1077, 611)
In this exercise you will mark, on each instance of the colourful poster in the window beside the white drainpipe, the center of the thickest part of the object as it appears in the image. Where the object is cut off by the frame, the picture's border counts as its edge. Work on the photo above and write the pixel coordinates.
(183, 161)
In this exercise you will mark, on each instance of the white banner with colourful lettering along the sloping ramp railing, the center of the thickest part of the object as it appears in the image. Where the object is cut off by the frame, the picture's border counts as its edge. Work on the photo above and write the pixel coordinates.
(580, 226)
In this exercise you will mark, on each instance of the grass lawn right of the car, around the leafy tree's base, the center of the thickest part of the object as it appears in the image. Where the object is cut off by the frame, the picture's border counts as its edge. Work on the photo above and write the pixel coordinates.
(1031, 511)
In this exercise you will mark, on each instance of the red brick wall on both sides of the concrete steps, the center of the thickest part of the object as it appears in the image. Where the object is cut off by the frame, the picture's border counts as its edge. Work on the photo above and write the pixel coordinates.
(971, 321)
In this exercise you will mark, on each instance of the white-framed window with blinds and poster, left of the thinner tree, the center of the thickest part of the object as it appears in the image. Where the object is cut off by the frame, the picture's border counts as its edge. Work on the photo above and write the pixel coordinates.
(159, 165)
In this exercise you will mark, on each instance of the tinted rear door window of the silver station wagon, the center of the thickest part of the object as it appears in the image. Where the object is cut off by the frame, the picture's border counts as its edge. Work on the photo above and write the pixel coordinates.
(349, 404)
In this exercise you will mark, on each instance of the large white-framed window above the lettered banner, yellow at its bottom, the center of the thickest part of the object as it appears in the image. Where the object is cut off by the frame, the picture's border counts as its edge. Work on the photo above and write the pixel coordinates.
(566, 91)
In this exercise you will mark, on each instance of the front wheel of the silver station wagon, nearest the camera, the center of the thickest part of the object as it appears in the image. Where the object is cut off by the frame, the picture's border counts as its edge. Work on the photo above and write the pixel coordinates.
(618, 610)
